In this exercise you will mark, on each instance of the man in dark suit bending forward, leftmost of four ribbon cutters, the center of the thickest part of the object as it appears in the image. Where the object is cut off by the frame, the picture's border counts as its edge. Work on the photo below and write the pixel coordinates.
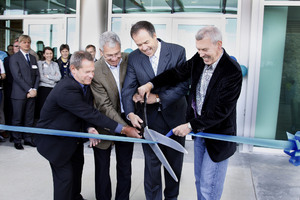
(69, 106)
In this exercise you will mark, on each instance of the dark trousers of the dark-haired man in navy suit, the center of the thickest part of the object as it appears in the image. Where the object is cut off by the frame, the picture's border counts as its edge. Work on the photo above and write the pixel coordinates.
(152, 171)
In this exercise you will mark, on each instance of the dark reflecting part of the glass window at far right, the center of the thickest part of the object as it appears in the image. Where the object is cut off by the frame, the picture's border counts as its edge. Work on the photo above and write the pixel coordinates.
(289, 106)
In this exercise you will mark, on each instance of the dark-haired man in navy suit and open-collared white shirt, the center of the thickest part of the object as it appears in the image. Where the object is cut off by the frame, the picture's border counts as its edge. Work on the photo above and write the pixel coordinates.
(165, 106)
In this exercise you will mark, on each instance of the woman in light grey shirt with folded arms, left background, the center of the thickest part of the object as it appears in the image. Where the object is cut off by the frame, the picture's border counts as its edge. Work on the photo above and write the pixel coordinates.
(49, 76)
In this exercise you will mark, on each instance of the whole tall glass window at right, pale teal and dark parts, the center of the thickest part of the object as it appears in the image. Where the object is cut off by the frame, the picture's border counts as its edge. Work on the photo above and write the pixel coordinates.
(278, 108)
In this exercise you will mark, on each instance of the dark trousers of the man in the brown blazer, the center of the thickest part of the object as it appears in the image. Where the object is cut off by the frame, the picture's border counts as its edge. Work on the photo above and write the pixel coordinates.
(124, 152)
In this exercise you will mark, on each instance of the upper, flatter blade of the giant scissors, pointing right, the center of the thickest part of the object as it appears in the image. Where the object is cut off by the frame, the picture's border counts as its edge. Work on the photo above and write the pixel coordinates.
(157, 137)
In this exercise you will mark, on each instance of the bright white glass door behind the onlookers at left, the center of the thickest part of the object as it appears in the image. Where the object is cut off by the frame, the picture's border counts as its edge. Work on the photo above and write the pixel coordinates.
(45, 32)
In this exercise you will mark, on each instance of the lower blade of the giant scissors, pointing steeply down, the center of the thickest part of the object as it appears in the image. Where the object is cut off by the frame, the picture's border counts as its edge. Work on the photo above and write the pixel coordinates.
(159, 154)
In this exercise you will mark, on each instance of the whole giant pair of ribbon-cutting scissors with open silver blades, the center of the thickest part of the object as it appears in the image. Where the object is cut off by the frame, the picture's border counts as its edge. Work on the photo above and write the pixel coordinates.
(157, 137)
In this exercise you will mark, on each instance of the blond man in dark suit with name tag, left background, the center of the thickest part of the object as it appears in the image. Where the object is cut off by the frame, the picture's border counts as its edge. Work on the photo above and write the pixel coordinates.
(26, 77)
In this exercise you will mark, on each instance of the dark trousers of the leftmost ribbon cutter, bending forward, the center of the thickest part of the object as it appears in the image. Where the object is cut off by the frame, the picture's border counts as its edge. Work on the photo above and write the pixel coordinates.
(67, 178)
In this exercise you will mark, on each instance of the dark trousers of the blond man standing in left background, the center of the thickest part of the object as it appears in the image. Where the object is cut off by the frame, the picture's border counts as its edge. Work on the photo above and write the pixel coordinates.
(23, 115)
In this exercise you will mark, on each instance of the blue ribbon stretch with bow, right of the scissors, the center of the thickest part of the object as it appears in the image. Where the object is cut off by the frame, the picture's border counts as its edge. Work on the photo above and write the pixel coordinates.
(291, 147)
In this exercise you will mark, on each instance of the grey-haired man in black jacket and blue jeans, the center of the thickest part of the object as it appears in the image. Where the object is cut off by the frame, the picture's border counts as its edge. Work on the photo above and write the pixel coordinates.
(216, 85)
